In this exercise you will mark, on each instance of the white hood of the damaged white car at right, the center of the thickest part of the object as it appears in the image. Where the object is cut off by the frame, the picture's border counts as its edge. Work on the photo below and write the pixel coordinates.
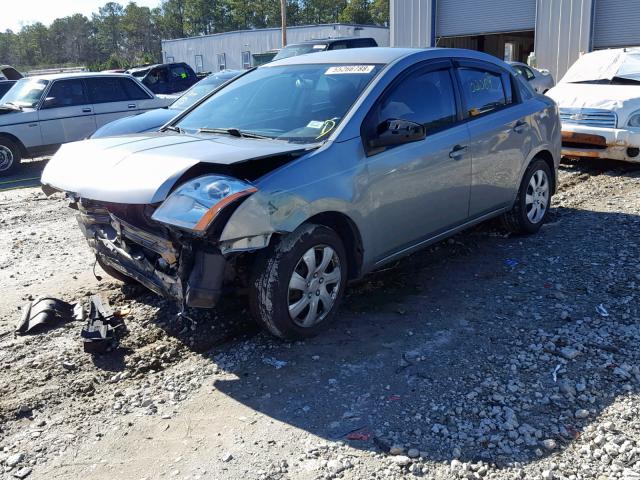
(623, 99)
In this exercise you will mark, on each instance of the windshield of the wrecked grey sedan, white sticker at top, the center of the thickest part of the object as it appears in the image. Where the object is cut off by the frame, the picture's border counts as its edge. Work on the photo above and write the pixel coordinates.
(296, 103)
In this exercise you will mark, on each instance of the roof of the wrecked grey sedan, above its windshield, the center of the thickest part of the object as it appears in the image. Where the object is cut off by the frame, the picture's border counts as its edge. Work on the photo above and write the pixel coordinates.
(380, 55)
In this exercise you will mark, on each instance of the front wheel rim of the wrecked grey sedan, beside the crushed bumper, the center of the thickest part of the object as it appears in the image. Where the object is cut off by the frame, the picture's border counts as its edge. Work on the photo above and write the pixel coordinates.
(314, 286)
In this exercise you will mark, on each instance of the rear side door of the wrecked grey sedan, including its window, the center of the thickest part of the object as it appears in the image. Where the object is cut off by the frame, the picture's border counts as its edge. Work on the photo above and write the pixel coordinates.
(499, 129)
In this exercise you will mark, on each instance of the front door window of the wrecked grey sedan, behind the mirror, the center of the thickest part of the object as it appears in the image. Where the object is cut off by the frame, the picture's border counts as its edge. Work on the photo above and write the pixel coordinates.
(423, 97)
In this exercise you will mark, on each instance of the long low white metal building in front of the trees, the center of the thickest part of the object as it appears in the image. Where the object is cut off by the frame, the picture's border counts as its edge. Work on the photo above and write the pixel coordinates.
(234, 50)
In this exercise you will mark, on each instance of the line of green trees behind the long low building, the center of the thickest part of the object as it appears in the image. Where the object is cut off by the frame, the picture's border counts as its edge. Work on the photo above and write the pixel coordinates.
(118, 36)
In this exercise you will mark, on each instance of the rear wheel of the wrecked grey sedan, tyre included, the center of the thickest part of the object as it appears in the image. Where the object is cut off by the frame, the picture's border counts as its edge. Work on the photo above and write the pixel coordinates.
(533, 201)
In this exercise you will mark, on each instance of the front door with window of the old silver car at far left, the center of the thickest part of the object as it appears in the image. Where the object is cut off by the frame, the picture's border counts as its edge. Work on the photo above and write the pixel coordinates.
(66, 115)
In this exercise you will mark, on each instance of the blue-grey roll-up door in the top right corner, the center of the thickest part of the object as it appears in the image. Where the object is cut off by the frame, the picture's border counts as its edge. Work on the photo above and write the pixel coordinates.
(617, 23)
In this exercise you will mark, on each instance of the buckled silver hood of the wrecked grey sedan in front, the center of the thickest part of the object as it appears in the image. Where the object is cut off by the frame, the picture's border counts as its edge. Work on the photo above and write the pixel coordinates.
(141, 169)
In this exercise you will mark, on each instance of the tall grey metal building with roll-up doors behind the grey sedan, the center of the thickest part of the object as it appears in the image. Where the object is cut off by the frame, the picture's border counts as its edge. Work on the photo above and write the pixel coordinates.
(558, 31)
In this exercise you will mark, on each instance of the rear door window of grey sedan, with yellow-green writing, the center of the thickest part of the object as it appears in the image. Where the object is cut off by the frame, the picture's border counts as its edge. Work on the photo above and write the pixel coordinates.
(484, 91)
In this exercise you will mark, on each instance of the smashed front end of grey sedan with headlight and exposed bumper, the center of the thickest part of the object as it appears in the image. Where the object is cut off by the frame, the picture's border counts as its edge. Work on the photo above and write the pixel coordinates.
(173, 248)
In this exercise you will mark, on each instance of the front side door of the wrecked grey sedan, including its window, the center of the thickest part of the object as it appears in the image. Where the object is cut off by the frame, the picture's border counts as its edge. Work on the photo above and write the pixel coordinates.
(420, 189)
